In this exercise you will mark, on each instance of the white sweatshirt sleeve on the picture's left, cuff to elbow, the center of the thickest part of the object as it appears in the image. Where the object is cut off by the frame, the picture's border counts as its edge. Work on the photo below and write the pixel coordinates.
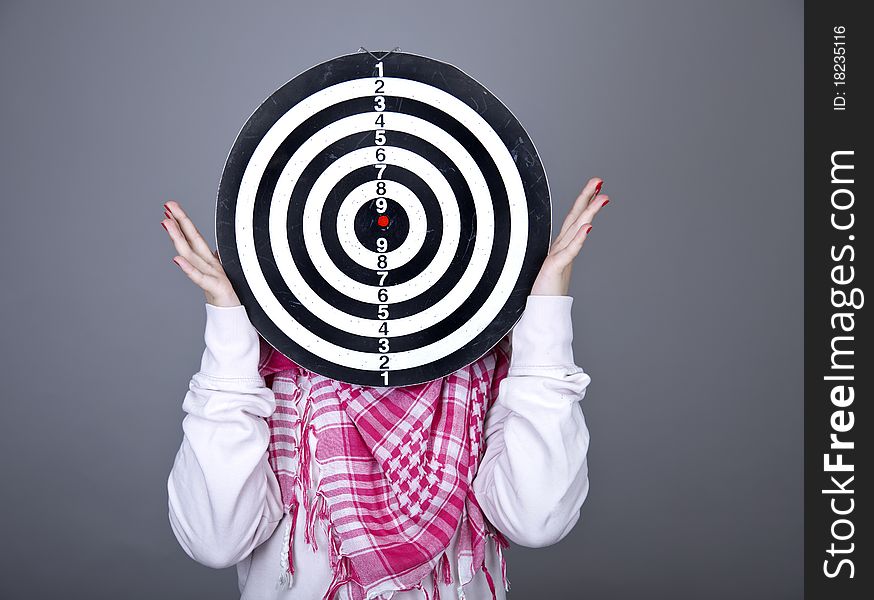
(224, 499)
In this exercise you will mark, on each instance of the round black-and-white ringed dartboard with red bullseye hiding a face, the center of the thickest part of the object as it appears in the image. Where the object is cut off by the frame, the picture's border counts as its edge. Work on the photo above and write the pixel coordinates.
(383, 217)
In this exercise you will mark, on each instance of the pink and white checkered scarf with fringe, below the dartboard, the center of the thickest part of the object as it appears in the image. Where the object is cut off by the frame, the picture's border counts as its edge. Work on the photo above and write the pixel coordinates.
(396, 467)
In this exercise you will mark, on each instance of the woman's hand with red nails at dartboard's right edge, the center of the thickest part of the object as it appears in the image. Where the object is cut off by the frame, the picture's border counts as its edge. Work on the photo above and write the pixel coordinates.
(555, 274)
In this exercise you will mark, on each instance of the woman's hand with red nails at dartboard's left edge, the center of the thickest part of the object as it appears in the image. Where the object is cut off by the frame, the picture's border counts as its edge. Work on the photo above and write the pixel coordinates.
(196, 259)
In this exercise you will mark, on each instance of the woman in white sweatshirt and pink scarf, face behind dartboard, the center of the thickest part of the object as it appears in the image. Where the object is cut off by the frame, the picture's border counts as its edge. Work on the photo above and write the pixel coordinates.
(250, 454)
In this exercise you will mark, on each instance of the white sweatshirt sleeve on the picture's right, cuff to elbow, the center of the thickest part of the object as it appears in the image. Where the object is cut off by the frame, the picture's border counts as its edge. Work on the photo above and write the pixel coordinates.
(533, 478)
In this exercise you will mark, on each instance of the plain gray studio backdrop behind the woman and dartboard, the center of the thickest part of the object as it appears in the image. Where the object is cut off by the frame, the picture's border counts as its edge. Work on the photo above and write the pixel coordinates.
(688, 293)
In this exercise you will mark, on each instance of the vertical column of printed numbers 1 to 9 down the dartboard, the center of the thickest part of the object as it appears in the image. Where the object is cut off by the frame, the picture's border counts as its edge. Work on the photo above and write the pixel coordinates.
(381, 207)
